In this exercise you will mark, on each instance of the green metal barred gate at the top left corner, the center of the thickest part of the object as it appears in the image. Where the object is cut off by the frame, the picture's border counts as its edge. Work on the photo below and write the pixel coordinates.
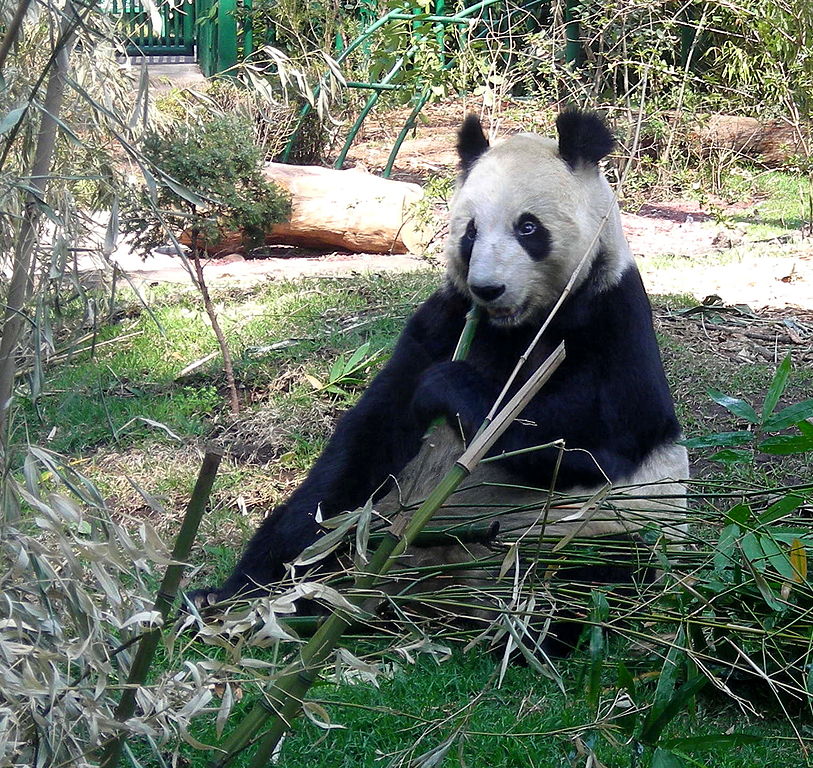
(174, 36)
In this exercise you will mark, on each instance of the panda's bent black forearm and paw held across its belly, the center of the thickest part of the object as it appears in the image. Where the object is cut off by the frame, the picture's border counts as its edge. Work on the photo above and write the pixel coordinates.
(613, 419)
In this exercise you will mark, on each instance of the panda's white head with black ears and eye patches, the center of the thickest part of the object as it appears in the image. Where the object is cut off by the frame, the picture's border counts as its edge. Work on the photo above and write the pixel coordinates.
(526, 212)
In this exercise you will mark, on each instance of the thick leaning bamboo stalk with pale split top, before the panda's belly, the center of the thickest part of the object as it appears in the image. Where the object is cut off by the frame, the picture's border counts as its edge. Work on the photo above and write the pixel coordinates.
(284, 699)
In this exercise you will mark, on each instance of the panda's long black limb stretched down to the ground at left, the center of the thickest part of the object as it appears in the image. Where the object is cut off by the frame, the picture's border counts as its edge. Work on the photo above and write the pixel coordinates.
(372, 441)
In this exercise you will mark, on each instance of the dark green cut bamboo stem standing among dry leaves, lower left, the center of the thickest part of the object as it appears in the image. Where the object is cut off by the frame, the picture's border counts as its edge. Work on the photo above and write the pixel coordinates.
(163, 601)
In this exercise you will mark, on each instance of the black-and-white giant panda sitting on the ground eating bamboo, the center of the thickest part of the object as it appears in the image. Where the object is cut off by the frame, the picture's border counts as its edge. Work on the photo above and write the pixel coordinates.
(526, 213)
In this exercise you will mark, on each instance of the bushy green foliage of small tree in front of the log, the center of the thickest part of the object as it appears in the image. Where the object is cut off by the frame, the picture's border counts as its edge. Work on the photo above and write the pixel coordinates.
(209, 182)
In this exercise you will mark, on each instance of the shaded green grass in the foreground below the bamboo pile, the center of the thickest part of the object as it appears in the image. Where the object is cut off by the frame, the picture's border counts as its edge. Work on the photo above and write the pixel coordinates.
(528, 721)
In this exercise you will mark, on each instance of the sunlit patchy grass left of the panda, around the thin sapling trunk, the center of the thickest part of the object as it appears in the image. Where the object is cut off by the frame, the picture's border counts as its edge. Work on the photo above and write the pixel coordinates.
(91, 401)
